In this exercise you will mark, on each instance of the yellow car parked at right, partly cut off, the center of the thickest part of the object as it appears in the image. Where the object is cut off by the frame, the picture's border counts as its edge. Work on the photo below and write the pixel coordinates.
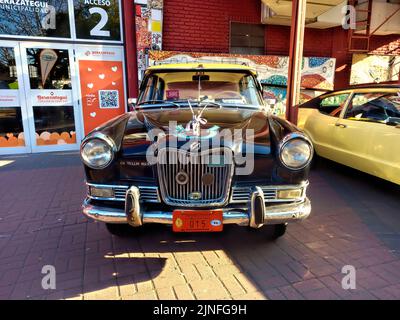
(357, 127)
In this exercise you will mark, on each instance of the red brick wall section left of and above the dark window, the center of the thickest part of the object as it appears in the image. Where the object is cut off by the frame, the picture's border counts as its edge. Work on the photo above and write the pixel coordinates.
(203, 26)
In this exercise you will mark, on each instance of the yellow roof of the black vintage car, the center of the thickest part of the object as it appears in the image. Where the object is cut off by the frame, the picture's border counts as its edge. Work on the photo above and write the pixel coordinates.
(198, 65)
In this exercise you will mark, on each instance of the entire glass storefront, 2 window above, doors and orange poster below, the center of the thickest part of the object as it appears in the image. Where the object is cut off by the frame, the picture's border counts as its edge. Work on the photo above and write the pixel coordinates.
(40, 87)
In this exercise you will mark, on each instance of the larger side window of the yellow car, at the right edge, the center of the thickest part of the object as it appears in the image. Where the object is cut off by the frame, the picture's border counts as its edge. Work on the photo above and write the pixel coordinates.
(374, 107)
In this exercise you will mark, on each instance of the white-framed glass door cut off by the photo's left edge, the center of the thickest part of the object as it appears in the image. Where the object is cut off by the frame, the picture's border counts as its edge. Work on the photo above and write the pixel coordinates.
(13, 112)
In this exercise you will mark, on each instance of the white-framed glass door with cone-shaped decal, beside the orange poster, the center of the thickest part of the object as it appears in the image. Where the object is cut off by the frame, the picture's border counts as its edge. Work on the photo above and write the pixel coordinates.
(51, 98)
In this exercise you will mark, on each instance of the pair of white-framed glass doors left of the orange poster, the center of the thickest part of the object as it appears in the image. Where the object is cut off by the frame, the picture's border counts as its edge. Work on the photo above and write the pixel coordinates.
(38, 98)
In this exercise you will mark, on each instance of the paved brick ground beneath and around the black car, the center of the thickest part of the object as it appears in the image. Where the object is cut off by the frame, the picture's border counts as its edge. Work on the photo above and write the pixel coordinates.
(355, 221)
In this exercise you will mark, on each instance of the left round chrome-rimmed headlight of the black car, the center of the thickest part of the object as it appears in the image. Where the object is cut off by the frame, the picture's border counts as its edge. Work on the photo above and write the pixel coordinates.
(97, 153)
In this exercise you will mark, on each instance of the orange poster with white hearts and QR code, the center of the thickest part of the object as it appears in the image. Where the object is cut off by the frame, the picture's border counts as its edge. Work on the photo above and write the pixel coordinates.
(102, 90)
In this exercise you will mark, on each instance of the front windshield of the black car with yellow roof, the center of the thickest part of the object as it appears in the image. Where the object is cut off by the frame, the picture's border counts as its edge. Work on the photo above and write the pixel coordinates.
(238, 89)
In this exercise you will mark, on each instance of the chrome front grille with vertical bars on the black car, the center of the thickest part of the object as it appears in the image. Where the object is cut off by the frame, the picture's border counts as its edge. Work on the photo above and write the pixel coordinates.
(208, 182)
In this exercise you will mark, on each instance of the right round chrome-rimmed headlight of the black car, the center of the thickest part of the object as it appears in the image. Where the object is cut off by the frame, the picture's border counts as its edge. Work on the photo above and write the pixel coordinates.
(296, 153)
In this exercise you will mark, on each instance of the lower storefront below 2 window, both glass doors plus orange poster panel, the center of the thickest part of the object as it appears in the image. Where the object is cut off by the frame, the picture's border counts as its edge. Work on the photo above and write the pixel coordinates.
(52, 94)
